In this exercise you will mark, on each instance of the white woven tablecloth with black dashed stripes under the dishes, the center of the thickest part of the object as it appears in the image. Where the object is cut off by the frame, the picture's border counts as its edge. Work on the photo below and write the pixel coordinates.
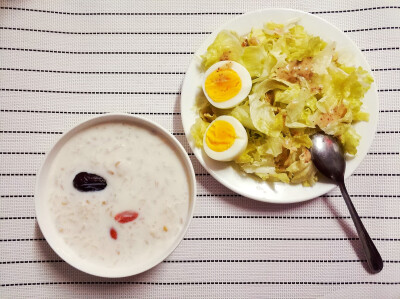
(53, 74)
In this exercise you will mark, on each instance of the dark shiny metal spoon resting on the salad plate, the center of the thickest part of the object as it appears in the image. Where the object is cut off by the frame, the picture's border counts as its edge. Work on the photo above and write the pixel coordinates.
(328, 158)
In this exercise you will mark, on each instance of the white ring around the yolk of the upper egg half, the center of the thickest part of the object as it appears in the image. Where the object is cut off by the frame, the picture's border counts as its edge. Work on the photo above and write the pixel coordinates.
(244, 77)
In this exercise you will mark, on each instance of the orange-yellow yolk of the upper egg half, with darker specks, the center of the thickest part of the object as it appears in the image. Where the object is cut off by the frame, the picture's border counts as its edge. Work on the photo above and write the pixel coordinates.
(223, 84)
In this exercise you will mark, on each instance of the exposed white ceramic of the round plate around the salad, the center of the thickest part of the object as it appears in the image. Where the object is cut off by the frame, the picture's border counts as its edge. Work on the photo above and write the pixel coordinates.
(247, 185)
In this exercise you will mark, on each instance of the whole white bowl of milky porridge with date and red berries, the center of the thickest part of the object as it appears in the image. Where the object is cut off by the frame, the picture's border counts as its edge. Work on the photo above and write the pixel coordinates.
(115, 195)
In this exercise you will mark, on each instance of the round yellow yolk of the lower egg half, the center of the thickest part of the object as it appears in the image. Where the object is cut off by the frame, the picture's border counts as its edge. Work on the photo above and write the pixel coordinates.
(220, 136)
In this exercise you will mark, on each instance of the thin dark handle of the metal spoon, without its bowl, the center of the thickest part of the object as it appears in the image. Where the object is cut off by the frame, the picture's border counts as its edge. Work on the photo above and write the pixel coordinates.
(374, 259)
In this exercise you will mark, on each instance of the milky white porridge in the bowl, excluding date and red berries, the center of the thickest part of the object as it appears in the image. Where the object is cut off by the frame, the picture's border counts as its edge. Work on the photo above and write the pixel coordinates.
(144, 174)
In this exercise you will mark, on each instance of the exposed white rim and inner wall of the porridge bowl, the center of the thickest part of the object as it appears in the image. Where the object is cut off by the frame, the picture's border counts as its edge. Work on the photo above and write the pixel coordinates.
(47, 224)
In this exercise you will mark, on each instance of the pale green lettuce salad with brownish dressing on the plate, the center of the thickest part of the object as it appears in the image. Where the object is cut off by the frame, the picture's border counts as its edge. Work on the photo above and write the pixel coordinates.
(299, 86)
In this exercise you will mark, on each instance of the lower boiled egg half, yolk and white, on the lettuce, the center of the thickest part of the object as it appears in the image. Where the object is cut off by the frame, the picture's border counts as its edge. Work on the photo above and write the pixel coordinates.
(225, 139)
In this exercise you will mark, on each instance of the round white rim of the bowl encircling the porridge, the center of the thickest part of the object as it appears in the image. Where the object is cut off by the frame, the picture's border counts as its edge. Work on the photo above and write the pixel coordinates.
(58, 246)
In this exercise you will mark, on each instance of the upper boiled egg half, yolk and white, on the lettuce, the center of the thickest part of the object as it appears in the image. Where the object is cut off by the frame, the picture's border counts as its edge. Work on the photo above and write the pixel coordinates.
(226, 84)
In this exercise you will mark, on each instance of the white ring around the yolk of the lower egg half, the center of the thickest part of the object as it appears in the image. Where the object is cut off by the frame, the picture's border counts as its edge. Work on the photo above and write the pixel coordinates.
(237, 147)
